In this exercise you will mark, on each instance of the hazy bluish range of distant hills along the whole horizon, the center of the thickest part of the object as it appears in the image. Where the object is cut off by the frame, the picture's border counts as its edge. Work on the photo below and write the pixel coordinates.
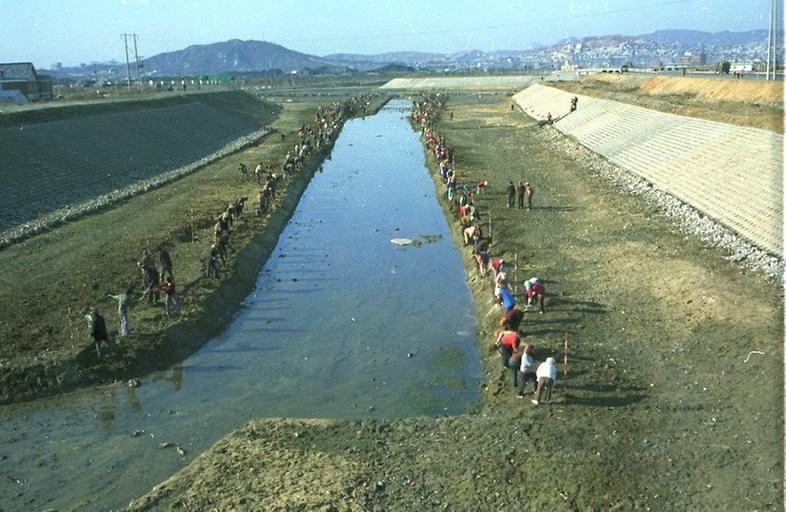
(662, 46)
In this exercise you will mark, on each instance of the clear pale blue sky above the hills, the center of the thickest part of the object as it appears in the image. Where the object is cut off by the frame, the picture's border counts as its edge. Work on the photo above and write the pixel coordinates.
(76, 31)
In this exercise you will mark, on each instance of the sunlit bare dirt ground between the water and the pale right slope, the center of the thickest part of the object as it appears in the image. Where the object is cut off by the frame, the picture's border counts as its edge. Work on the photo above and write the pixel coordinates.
(664, 406)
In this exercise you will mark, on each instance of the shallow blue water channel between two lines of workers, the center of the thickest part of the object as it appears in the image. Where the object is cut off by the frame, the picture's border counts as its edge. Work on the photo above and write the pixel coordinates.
(342, 324)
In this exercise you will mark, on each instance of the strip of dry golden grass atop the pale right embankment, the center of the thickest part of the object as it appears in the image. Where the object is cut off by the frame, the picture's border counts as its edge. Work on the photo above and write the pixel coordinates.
(753, 103)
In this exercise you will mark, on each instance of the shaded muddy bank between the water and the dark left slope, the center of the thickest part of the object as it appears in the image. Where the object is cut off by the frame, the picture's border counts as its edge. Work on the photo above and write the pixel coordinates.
(50, 353)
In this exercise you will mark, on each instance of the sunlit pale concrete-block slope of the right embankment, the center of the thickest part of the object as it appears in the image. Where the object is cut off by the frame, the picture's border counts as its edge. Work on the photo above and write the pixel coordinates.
(732, 174)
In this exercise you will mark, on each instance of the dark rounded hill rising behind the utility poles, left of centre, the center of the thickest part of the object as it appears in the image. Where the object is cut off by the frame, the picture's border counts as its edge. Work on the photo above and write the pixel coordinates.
(232, 56)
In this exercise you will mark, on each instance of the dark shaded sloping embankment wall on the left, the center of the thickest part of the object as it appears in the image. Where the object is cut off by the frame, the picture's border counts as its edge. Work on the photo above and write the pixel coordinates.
(50, 165)
